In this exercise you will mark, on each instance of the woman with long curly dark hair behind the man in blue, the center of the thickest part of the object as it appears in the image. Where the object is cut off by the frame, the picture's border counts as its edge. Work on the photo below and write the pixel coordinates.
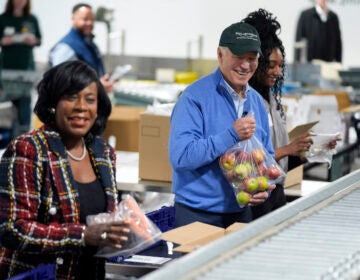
(268, 80)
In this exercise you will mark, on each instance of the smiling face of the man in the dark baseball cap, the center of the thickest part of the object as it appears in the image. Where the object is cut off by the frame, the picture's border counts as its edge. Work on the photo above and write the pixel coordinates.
(237, 70)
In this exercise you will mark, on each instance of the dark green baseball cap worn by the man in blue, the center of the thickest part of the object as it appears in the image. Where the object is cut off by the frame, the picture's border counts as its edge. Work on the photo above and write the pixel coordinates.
(241, 38)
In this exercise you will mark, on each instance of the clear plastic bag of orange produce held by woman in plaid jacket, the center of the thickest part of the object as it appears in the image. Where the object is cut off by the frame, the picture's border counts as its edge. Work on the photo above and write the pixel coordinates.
(143, 232)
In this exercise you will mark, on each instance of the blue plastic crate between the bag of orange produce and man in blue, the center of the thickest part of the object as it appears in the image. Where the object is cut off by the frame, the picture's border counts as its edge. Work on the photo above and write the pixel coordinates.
(164, 217)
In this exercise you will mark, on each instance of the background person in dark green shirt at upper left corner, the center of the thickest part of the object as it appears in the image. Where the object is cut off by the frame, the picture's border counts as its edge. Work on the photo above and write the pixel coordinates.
(19, 34)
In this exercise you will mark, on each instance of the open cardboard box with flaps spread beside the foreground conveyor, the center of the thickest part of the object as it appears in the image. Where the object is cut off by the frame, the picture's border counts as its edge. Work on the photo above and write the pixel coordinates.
(194, 235)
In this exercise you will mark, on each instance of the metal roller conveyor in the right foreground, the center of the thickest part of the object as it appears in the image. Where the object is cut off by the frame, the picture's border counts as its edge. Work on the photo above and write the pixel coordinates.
(316, 237)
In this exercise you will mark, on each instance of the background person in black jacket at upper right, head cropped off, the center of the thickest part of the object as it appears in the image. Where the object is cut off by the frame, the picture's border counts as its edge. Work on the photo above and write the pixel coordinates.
(321, 29)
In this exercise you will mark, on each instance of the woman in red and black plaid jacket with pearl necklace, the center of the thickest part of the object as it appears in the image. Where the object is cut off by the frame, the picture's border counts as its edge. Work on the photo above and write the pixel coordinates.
(55, 176)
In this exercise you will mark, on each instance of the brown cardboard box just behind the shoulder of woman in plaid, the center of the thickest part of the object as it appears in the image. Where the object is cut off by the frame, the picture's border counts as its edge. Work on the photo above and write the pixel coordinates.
(123, 123)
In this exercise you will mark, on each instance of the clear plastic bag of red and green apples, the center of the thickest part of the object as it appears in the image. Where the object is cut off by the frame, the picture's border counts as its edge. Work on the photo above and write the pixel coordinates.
(250, 169)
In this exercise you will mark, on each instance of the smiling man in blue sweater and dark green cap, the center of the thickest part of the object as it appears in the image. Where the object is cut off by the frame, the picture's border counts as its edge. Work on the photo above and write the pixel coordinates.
(208, 119)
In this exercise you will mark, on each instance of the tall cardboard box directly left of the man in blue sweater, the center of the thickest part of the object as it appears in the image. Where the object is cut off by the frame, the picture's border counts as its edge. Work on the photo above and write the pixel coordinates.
(153, 148)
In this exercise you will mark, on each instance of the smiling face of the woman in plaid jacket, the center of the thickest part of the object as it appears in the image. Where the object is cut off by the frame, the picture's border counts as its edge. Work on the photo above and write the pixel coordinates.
(75, 114)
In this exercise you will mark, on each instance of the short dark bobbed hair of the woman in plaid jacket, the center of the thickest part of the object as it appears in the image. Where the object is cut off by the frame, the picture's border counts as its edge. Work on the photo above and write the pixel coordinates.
(65, 79)
